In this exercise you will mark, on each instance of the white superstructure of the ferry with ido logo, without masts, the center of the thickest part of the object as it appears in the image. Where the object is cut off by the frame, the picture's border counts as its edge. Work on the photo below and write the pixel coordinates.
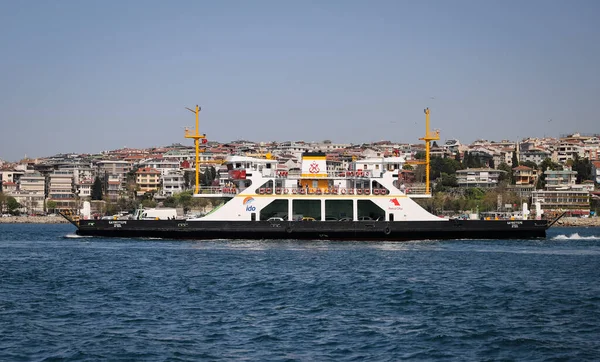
(367, 189)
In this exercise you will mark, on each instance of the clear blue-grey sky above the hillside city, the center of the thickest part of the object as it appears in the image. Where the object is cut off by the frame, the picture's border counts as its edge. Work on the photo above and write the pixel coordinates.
(87, 76)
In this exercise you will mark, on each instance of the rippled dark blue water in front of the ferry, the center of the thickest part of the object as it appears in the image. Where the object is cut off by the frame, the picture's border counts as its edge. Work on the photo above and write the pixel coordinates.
(76, 299)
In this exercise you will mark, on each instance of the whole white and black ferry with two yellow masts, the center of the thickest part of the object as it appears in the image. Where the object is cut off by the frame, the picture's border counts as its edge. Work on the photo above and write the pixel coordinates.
(356, 200)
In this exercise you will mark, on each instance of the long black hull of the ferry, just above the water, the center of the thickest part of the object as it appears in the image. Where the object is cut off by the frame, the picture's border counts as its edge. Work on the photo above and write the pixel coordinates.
(307, 230)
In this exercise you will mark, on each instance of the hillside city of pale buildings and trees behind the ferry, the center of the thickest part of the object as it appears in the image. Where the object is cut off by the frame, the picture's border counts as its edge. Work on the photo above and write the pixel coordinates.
(562, 174)
